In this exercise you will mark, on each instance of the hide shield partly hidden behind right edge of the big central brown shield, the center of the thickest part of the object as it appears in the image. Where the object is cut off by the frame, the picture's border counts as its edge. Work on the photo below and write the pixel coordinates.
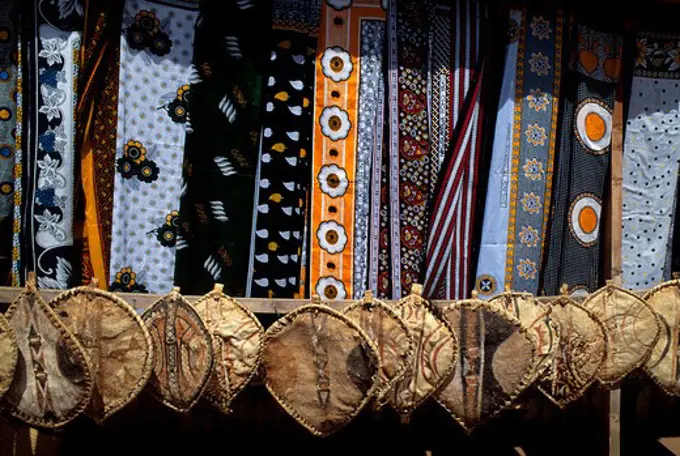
(390, 336)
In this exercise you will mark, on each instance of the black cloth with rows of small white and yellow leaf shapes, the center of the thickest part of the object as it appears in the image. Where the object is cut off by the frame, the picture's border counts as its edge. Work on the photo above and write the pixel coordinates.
(282, 178)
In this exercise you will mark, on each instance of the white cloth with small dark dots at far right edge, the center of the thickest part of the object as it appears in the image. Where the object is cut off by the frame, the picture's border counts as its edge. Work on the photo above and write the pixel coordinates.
(650, 160)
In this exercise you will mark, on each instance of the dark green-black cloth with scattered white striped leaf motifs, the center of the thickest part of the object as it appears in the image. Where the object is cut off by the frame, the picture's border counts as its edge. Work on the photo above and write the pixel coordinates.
(232, 42)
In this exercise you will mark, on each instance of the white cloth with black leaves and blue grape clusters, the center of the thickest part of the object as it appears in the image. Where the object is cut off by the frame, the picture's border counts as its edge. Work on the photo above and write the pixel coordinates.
(50, 157)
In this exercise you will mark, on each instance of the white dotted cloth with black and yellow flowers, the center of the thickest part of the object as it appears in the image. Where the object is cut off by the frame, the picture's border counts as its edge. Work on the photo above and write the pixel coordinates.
(155, 68)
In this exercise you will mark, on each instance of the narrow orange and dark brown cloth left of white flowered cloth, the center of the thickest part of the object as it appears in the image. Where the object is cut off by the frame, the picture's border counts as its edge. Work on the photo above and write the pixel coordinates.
(97, 115)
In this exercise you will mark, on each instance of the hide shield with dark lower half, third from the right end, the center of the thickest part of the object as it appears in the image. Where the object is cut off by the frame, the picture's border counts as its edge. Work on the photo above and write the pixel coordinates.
(582, 348)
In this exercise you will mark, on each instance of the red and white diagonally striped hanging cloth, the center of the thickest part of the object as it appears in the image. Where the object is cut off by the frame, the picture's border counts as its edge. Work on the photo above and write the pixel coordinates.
(448, 258)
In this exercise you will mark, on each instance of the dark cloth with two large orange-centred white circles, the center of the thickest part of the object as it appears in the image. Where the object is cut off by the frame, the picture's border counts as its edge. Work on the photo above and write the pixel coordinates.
(573, 248)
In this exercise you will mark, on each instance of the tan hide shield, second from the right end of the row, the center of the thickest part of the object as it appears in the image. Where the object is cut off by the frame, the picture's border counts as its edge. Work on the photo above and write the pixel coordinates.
(632, 330)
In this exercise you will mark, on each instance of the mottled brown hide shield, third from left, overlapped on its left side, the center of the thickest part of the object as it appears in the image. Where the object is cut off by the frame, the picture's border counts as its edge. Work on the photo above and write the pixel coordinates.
(117, 343)
